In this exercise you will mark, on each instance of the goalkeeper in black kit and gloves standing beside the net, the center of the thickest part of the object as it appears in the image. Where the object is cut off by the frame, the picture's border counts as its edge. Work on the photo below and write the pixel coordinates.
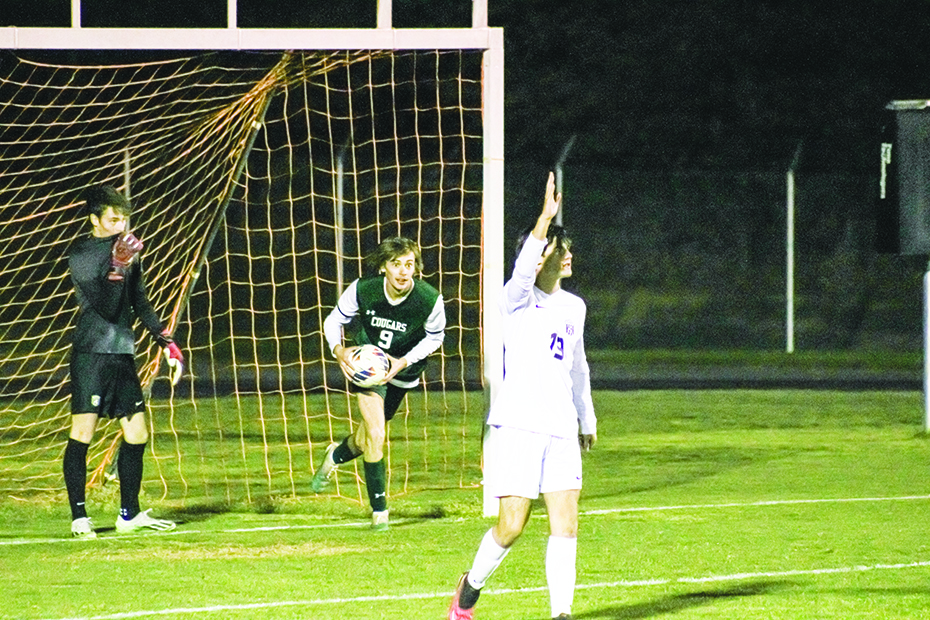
(110, 288)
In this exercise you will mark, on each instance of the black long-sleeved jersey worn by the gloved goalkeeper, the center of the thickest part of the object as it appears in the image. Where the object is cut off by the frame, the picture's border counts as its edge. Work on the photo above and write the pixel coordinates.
(107, 309)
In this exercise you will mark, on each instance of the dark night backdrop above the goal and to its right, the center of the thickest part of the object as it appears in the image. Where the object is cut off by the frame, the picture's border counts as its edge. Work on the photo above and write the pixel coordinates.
(686, 115)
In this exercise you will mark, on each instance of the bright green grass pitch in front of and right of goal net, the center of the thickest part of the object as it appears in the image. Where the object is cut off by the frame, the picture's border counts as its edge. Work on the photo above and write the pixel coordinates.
(697, 504)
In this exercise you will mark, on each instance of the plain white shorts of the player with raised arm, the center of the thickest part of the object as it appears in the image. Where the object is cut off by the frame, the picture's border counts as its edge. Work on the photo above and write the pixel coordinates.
(525, 464)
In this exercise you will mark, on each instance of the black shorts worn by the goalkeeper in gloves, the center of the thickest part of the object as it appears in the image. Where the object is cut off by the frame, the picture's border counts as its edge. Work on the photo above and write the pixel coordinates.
(106, 384)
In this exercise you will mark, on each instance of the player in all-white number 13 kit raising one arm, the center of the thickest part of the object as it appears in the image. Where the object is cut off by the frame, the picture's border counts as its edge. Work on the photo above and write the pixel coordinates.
(534, 443)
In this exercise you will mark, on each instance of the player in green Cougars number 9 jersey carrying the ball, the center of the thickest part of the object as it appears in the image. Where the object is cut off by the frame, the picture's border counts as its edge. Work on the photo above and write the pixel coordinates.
(404, 316)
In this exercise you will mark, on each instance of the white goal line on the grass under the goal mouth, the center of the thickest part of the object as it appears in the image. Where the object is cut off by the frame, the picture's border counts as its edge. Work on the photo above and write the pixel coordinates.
(603, 511)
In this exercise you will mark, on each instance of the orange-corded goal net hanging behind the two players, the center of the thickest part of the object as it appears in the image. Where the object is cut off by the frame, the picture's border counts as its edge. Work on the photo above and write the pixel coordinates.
(259, 181)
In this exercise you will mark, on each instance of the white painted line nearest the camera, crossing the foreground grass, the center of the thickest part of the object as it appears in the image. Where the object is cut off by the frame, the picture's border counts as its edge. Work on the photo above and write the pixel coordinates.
(489, 591)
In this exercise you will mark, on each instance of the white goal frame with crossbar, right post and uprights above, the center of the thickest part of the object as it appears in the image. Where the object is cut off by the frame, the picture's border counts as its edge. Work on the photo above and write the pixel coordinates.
(383, 37)
